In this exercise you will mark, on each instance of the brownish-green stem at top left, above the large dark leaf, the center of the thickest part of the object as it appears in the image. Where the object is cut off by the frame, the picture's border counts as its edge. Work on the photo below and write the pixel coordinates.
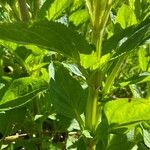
(23, 10)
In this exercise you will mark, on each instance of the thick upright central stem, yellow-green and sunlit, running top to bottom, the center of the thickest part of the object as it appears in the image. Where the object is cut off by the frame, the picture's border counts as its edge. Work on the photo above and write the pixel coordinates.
(99, 17)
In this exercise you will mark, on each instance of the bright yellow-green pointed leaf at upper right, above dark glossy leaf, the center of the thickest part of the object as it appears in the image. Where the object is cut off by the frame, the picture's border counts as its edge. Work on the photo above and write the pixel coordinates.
(125, 16)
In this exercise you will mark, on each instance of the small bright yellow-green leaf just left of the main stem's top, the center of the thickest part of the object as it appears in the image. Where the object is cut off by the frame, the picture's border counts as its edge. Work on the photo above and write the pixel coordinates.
(79, 17)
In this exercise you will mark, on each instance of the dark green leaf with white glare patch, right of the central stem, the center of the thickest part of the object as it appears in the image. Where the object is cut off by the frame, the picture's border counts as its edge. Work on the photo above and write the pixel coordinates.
(128, 39)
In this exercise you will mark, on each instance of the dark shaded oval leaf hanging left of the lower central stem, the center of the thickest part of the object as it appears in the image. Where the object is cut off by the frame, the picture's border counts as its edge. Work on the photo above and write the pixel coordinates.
(67, 94)
